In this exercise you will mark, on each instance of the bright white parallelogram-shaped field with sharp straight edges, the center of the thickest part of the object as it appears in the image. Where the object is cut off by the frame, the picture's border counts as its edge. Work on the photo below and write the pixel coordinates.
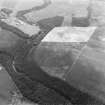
(69, 34)
